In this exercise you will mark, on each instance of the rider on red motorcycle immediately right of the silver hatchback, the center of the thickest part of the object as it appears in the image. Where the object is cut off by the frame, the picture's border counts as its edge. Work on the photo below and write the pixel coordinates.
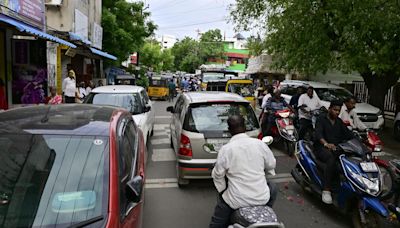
(275, 103)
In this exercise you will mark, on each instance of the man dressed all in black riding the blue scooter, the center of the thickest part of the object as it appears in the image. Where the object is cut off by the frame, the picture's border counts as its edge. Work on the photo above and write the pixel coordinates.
(330, 131)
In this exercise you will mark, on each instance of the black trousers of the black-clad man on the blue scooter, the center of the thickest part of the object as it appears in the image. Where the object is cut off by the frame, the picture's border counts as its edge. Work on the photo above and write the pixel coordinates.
(329, 158)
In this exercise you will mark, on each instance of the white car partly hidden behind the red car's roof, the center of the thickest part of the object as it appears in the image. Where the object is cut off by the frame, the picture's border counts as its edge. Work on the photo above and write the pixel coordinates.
(132, 98)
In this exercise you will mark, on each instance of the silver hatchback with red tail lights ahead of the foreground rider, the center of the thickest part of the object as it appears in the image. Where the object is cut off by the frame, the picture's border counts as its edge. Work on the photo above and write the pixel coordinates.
(199, 129)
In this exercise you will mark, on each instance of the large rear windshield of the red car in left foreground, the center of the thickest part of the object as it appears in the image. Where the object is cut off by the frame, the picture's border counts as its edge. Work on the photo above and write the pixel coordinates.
(52, 180)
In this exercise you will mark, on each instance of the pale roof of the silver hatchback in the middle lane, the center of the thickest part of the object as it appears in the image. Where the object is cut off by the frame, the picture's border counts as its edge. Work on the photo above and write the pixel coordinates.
(213, 96)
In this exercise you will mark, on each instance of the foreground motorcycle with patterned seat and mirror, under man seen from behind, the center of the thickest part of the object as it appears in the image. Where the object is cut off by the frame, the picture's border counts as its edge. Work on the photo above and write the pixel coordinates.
(256, 216)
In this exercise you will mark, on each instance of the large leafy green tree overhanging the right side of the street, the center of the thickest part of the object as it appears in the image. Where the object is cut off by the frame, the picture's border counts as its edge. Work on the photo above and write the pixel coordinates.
(315, 36)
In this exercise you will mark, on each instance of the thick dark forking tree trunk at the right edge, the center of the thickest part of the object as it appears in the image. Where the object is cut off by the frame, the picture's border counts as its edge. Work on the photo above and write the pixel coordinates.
(378, 86)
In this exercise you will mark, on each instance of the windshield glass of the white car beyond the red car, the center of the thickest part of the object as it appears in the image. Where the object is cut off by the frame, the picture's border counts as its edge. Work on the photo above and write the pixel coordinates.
(128, 101)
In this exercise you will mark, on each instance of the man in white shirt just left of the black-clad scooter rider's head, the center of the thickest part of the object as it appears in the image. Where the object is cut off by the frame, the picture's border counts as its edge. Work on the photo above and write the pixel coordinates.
(308, 102)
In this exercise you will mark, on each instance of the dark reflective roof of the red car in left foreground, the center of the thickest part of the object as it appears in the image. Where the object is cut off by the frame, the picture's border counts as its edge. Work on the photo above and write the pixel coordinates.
(66, 119)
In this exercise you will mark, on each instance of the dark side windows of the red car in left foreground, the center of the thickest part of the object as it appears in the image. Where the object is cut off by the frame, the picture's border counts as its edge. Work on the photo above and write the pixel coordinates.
(127, 157)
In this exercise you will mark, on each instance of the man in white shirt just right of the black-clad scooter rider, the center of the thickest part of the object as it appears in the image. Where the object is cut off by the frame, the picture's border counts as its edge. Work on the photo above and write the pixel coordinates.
(349, 116)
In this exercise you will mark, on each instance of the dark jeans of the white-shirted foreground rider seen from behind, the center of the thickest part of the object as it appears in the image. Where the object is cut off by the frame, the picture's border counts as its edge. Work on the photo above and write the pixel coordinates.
(223, 212)
